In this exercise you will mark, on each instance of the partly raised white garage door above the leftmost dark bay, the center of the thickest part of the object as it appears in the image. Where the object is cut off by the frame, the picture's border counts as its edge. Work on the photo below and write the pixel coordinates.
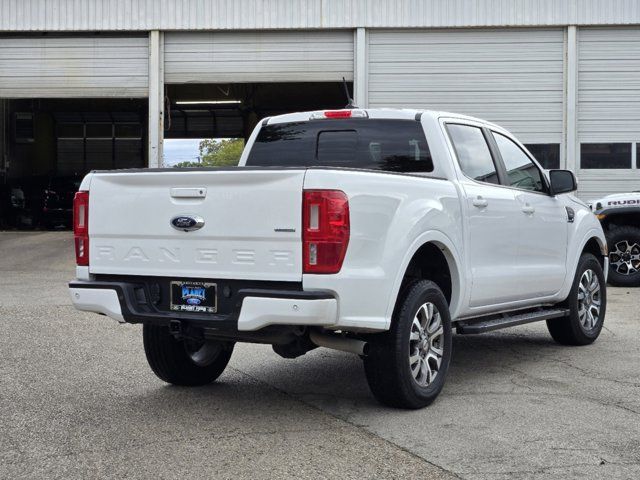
(58, 67)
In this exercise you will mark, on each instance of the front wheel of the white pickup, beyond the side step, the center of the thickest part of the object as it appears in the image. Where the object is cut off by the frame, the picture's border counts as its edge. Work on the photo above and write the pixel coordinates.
(587, 304)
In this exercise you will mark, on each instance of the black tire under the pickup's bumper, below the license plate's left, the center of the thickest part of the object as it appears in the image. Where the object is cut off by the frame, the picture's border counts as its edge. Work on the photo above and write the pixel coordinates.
(171, 360)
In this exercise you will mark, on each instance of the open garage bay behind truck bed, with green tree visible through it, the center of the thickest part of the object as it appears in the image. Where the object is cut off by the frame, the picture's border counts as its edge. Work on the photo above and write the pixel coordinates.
(208, 124)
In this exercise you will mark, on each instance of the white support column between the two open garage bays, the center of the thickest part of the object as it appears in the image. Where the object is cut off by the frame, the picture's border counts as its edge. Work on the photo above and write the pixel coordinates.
(156, 98)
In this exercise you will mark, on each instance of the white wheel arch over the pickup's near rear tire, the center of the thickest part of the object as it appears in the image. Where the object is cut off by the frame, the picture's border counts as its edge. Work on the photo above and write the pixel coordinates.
(430, 253)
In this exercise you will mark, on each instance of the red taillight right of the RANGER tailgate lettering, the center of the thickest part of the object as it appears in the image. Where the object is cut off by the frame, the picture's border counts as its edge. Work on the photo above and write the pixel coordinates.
(325, 231)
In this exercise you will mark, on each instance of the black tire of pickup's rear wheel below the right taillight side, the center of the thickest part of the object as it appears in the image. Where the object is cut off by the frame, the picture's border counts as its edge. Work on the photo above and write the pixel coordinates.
(388, 365)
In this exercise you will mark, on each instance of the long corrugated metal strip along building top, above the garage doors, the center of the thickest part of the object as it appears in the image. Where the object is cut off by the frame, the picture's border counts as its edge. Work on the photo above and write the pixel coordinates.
(57, 15)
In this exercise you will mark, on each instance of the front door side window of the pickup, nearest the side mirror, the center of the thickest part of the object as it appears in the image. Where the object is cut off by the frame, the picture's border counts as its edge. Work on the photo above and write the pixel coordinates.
(521, 171)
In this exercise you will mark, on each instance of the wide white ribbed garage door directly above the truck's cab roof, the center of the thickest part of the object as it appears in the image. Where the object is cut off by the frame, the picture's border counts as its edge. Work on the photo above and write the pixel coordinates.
(511, 77)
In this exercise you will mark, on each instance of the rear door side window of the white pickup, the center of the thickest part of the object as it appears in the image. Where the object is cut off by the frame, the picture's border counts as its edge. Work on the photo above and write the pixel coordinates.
(473, 153)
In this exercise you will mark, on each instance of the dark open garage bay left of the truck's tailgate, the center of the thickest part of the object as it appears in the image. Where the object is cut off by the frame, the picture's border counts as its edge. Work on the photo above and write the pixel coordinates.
(48, 145)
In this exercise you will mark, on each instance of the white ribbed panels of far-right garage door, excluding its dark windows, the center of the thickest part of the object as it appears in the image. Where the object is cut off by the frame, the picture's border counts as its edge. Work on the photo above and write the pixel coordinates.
(608, 102)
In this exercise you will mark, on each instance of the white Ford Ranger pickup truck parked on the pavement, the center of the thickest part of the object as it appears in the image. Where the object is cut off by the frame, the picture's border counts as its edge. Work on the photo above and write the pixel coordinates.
(373, 231)
